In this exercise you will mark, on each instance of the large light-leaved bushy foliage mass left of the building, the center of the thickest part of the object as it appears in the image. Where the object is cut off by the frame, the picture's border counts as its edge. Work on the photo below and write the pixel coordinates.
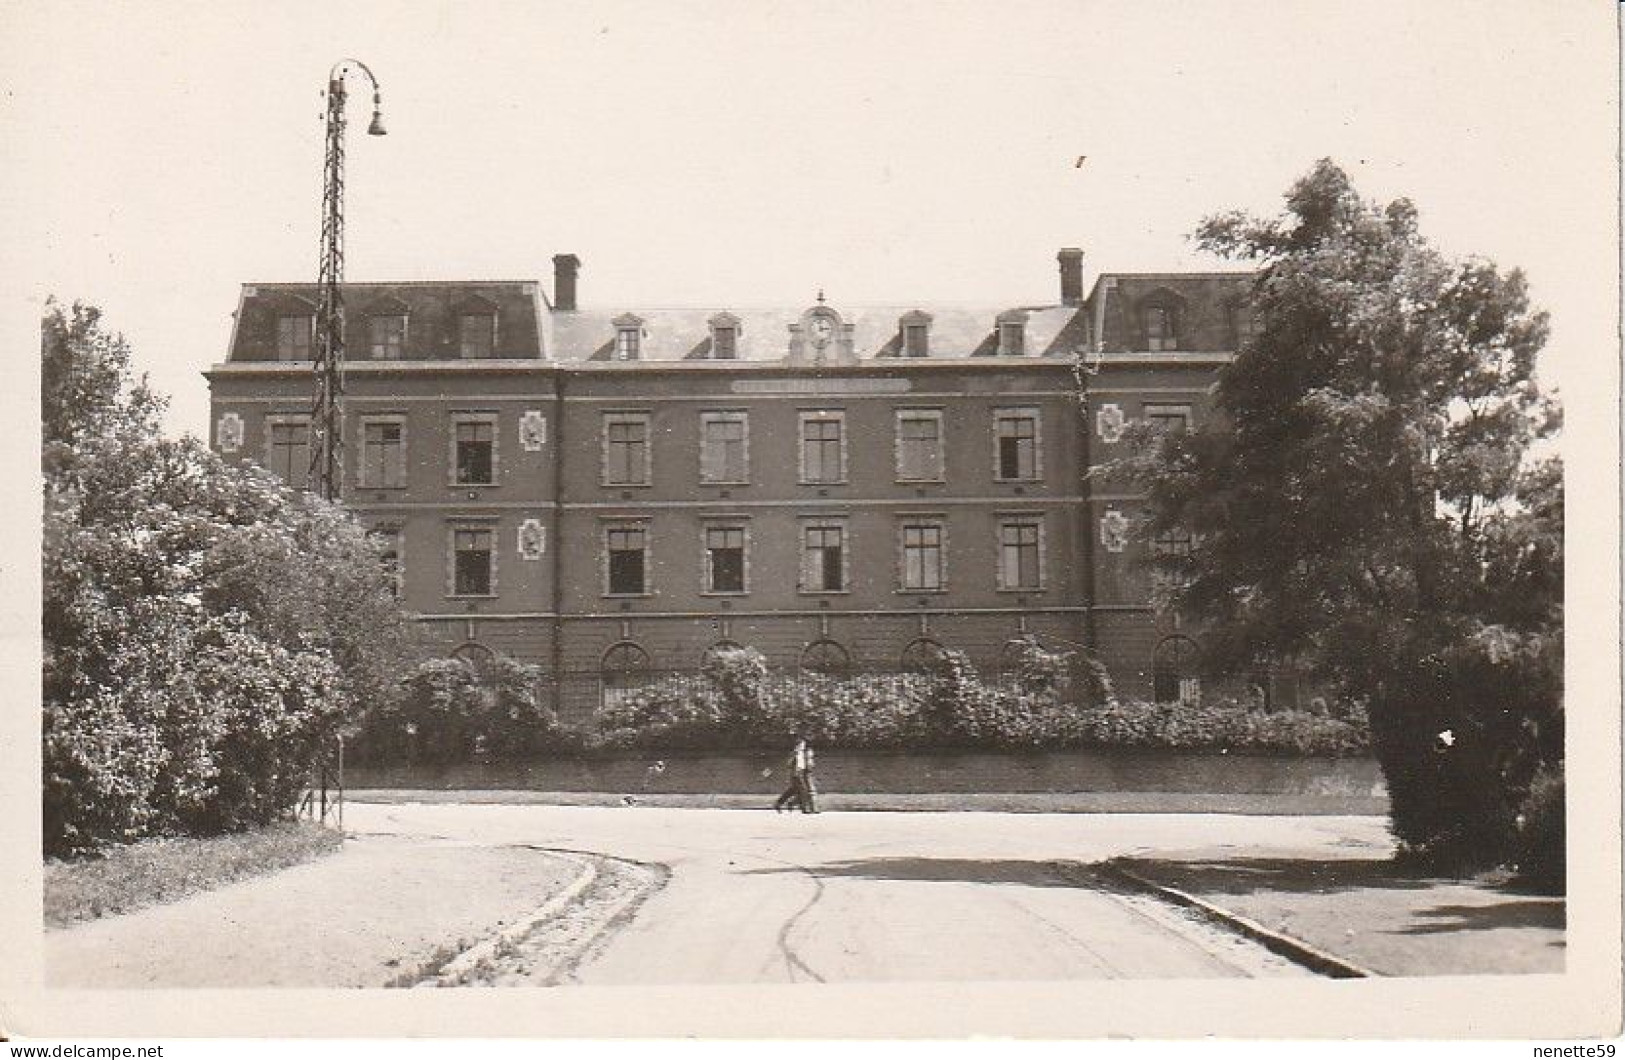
(206, 630)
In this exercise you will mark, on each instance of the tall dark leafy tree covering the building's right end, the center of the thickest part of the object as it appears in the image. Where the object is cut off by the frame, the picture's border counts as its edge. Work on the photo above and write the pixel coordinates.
(1369, 503)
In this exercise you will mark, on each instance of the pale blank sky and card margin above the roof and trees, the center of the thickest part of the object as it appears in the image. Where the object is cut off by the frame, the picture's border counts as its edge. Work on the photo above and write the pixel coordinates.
(735, 154)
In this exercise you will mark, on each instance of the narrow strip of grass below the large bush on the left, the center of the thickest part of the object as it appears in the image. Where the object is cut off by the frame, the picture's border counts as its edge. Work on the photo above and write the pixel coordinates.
(163, 871)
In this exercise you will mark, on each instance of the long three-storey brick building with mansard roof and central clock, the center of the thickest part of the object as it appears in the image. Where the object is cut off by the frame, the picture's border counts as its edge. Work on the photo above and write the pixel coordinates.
(617, 490)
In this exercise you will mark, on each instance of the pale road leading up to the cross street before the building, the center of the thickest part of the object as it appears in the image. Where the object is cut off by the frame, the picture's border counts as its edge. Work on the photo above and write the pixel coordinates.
(888, 897)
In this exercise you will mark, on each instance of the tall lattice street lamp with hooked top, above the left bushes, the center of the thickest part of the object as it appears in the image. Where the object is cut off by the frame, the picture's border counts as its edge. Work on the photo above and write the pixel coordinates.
(327, 417)
